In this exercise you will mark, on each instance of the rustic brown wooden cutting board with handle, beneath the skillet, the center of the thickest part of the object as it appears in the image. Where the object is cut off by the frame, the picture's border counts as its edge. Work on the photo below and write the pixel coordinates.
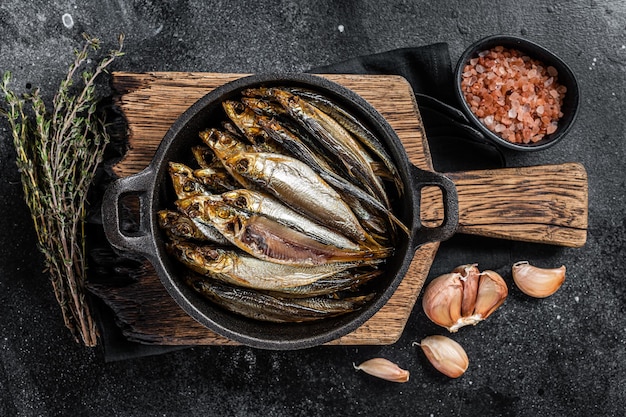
(545, 204)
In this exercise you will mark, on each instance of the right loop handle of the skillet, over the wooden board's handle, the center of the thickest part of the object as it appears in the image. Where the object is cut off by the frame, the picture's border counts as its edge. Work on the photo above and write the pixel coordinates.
(425, 234)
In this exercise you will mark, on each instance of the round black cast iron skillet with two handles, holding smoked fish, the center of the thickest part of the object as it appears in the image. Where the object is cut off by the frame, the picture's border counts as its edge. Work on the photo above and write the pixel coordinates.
(153, 188)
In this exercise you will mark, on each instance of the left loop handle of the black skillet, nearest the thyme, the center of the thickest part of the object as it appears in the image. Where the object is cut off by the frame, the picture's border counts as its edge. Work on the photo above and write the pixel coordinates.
(138, 184)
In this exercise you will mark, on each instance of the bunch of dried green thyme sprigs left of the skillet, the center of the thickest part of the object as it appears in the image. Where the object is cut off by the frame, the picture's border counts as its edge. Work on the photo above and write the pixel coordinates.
(58, 152)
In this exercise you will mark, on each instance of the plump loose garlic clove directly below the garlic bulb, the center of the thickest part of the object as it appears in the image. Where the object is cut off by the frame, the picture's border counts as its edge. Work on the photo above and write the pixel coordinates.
(446, 355)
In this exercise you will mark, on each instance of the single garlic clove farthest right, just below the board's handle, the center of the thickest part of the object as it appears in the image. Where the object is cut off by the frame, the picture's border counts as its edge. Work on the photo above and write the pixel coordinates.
(537, 282)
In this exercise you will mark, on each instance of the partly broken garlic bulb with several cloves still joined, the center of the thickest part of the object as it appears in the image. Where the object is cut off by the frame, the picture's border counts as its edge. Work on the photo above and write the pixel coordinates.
(464, 296)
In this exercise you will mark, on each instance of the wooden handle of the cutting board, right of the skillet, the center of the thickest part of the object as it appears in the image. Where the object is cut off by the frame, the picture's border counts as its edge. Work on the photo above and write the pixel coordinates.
(543, 203)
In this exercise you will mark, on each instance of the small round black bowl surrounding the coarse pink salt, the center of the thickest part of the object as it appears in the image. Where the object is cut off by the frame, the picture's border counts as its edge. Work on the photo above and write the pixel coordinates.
(565, 77)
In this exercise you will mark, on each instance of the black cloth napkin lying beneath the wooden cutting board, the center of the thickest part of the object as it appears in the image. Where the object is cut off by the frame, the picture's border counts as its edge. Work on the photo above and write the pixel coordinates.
(454, 146)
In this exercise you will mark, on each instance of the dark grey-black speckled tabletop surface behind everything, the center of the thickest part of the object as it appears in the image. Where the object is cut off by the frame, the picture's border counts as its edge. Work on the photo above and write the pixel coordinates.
(564, 355)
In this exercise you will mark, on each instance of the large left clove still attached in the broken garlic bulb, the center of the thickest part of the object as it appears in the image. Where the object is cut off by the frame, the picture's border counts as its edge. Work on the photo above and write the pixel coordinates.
(442, 299)
